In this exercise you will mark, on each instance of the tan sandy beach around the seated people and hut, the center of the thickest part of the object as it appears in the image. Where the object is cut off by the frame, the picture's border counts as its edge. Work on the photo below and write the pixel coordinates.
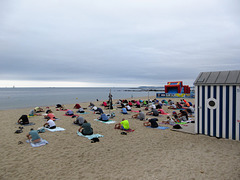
(143, 154)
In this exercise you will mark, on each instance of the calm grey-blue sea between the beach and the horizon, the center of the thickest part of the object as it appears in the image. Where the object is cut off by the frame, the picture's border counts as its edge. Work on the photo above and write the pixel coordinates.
(15, 98)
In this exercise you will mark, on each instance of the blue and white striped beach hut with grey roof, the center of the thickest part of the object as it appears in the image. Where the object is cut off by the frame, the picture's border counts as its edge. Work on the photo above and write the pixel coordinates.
(217, 104)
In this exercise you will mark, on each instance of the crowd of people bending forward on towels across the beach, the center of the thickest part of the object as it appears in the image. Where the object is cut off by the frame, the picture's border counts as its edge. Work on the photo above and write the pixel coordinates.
(86, 128)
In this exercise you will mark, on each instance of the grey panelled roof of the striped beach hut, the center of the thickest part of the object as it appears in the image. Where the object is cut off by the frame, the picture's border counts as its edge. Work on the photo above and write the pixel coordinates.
(218, 78)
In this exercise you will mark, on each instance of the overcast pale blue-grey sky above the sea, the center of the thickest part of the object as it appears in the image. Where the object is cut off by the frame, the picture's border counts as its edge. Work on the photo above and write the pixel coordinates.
(116, 43)
